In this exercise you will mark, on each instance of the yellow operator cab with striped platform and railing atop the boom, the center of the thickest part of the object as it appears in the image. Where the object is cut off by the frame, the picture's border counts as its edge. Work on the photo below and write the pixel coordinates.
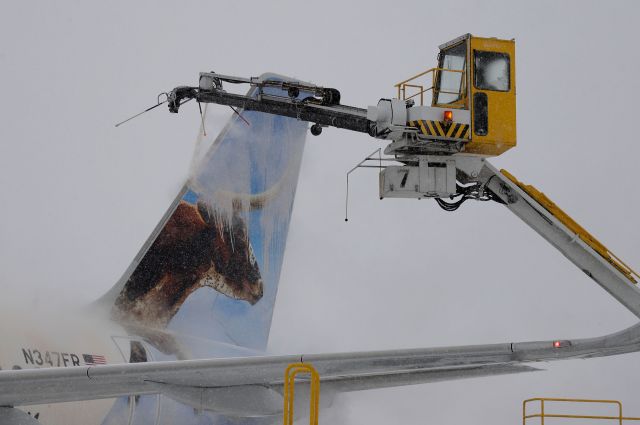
(475, 78)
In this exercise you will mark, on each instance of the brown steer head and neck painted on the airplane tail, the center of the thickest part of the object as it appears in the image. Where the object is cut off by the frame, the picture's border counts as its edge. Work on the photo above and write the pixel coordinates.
(198, 247)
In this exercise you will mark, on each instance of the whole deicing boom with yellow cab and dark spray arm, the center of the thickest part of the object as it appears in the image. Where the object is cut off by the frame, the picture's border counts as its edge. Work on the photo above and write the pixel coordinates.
(440, 129)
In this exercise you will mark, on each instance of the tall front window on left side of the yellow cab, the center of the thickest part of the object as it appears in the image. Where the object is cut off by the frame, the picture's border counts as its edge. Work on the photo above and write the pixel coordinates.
(451, 82)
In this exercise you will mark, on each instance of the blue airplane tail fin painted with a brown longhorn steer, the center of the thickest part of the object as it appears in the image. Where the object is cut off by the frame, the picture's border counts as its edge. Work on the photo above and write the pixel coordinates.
(211, 267)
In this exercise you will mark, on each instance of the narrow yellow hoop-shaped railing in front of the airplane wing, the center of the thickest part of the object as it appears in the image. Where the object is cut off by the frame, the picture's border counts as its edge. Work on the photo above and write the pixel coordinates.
(289, 392)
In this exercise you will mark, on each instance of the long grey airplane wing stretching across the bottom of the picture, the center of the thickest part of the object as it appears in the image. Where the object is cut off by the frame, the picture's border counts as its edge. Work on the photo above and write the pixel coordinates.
(204, 384)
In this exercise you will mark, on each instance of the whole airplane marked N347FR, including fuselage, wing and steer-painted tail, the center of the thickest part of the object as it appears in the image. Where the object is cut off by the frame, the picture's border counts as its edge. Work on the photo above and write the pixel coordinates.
(181, 336)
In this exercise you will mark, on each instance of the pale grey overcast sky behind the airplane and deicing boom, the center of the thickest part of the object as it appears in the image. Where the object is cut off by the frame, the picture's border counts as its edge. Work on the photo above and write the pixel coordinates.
(80, 196)
